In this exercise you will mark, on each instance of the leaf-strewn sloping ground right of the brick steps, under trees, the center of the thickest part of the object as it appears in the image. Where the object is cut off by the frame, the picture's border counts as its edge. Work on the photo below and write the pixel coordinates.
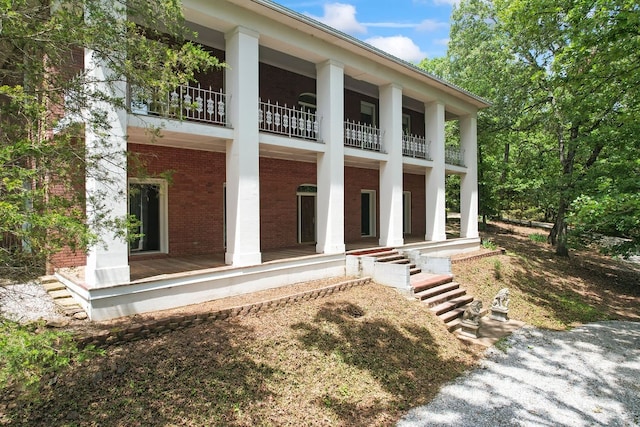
(550, 291)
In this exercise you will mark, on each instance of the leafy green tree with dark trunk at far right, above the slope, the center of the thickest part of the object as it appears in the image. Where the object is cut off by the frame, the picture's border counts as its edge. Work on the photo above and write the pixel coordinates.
(583, 58)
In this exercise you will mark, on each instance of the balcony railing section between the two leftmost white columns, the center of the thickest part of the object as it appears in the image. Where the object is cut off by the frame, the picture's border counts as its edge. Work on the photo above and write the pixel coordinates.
(185, 103)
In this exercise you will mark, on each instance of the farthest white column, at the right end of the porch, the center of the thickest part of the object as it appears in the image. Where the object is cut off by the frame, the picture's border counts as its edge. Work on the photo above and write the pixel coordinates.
(469, 181)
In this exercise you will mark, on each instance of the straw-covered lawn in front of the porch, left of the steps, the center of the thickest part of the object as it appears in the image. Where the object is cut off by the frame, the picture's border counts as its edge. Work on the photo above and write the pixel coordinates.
(360, 357)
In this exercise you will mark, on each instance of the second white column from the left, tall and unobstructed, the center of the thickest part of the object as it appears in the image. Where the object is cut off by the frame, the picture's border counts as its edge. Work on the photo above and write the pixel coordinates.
(243, 179)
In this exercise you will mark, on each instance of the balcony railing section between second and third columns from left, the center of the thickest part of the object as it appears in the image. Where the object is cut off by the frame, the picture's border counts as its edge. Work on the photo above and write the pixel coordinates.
(292, 122)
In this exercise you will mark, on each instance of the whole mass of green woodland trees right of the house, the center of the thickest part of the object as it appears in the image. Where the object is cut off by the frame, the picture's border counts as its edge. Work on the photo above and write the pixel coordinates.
(563, 77)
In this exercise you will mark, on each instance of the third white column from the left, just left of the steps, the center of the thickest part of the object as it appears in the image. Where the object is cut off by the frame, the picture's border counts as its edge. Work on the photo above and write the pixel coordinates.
(330, 113)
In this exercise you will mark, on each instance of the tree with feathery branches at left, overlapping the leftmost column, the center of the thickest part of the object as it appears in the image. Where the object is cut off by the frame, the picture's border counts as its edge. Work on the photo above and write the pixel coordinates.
(48, 100)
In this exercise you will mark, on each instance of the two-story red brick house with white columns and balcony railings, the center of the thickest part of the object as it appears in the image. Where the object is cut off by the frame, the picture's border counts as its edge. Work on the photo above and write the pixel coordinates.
(310, 142)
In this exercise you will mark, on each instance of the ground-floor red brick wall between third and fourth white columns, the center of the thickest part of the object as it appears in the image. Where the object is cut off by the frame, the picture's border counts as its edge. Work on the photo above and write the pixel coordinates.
(356, 180)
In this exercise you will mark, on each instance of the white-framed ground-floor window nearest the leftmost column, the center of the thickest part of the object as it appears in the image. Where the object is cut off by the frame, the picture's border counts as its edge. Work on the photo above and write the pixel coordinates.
(148, 203)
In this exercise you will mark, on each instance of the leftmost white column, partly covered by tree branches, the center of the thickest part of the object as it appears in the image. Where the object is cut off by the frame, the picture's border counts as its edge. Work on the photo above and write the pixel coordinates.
(106, 183)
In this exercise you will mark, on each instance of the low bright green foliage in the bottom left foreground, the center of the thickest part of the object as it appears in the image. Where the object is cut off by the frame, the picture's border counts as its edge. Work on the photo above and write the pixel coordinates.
(31, 353)
